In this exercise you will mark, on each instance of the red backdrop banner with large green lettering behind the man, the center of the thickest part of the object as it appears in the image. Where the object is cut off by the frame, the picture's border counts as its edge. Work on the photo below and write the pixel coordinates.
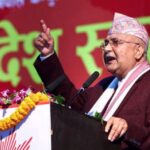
(78, 28)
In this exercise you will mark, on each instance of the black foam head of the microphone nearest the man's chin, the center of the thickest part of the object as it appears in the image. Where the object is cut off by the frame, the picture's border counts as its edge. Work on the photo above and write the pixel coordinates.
(90, 80)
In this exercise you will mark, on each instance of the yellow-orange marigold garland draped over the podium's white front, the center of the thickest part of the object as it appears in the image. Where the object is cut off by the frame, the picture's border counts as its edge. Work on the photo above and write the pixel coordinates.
(23, 110)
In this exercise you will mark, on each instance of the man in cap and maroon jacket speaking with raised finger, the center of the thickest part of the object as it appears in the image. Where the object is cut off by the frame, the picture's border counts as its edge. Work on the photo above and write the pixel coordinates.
(124, 98)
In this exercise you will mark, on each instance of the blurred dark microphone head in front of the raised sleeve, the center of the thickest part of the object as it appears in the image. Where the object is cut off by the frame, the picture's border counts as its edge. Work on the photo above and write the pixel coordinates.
(52, 86)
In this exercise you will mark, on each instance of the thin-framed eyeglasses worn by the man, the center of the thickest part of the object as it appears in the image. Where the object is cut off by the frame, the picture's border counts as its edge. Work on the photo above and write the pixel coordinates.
(115, 43)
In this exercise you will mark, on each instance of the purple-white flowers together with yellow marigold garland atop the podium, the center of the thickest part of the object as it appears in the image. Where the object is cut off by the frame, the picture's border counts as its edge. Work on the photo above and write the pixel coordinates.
(26, 99)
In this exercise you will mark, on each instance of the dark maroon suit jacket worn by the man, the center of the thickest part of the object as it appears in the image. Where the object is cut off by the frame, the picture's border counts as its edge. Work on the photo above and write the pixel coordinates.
(135, 108)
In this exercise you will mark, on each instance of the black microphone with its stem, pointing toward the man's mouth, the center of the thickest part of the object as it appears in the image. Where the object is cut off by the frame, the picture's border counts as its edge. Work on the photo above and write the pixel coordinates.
(85, 85)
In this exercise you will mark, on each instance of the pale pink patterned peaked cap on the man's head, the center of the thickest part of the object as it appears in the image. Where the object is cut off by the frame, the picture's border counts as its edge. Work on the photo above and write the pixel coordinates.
(128, 25)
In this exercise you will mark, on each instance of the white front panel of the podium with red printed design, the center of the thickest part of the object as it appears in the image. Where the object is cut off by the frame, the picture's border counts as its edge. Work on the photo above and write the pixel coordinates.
(33, 133)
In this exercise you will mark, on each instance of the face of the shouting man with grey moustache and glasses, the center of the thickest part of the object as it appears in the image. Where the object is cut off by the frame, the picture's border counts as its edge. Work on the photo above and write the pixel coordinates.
(119, 53)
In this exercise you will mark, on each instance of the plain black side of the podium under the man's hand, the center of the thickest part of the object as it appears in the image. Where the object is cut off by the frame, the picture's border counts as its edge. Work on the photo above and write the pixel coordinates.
(74, 131)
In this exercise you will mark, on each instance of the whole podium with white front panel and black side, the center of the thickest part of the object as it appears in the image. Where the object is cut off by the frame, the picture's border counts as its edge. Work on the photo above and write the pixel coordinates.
(70, 130)
